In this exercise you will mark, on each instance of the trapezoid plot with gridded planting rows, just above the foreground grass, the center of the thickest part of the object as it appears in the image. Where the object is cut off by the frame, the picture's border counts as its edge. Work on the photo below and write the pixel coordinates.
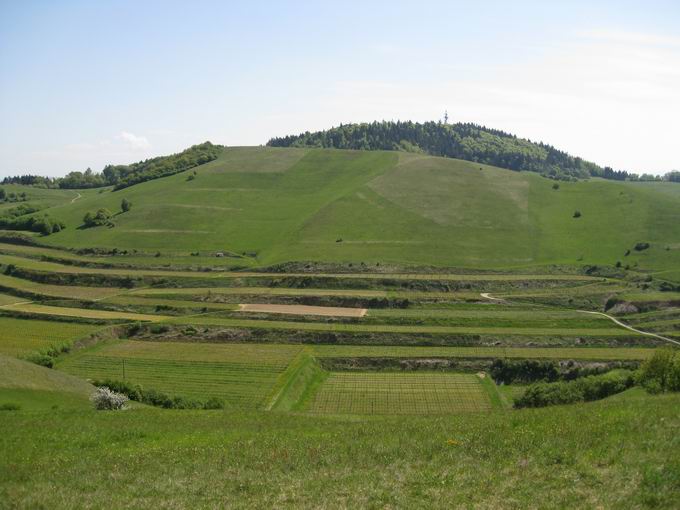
(403, 393)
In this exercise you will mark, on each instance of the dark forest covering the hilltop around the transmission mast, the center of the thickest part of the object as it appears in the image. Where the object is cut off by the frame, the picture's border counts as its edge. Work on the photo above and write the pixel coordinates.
(463, 141)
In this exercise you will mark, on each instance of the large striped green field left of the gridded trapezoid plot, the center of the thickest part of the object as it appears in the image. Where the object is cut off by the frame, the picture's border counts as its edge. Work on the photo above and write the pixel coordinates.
(242, 375)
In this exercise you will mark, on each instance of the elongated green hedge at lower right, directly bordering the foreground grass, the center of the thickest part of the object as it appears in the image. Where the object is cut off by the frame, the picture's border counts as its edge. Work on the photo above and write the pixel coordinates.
(594, 387)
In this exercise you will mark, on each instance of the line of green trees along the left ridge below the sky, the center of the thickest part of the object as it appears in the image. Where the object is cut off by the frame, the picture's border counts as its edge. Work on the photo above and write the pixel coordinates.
(122, 176)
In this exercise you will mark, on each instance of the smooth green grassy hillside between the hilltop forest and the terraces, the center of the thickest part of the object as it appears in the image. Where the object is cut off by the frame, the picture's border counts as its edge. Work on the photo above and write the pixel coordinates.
(288, 204)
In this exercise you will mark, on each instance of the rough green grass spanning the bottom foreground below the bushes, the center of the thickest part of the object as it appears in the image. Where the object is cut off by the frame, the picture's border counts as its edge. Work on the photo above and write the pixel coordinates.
(618, 454)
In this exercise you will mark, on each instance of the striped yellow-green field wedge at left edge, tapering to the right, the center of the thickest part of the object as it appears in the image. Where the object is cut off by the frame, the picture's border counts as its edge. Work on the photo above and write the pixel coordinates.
(22, 336)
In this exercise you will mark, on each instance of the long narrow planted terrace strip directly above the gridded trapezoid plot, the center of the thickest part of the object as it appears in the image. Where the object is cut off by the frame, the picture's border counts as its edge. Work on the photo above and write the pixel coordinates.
(562, 353)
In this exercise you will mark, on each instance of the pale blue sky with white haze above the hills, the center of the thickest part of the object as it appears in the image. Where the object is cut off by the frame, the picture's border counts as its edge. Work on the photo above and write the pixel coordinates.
(88, 83)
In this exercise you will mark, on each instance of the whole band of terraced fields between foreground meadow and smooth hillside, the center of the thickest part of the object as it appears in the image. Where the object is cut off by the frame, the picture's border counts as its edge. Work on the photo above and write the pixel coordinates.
(413, 318)
